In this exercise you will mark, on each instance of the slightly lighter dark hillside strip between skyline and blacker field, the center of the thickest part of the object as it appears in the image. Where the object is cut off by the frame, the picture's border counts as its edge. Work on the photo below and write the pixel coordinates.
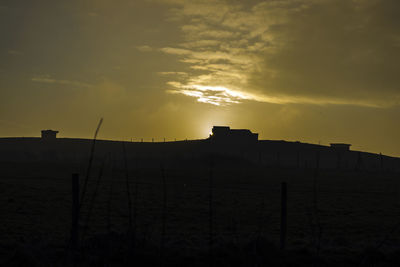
(265, 152)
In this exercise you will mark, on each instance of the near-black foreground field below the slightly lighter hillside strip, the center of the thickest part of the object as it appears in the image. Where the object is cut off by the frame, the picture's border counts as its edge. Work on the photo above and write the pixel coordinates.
(334, 218)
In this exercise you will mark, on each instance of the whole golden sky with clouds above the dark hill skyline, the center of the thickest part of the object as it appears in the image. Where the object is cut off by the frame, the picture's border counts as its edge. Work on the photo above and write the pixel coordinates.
(316, 71)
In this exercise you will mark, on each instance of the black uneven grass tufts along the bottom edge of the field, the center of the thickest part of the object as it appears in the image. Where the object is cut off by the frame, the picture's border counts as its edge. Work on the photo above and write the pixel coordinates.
(113, 250)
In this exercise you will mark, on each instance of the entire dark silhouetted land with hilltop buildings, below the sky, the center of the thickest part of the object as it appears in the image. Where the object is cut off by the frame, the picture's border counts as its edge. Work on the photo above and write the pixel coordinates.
(228, 200)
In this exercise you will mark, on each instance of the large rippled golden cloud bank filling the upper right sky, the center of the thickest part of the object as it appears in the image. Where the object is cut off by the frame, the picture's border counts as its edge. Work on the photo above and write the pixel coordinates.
(279, 51)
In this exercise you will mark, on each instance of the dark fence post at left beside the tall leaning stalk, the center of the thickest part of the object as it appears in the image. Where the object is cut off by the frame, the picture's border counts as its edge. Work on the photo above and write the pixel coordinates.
(75, 211)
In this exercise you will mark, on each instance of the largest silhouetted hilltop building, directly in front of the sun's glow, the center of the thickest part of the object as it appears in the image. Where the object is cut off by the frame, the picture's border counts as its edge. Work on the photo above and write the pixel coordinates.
(224, 134)
